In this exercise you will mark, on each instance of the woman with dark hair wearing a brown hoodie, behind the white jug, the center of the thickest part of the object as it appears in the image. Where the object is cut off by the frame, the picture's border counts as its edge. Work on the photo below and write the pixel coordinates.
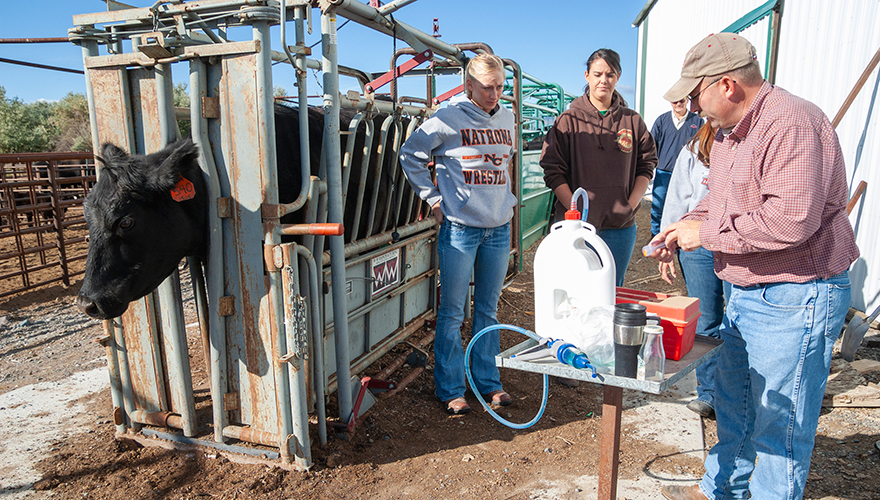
(604, 147)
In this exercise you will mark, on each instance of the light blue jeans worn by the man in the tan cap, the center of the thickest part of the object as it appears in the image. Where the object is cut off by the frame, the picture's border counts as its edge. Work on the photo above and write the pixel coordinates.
(771, 376)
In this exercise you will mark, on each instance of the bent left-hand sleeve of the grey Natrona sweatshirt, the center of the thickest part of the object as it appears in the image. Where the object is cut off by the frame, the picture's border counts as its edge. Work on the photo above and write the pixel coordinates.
(416, 153)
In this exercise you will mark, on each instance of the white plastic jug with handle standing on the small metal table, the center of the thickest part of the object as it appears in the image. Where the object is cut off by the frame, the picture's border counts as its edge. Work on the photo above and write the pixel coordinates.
(573, 268)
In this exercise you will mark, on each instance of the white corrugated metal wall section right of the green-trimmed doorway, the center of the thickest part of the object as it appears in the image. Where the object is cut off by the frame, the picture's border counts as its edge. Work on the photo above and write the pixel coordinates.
(824, 48)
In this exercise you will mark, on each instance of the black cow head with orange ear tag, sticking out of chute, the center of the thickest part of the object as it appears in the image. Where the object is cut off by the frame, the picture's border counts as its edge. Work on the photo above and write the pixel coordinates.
(144, 215)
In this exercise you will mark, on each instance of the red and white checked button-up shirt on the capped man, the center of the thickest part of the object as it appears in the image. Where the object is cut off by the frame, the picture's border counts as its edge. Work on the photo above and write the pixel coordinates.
(776, 209)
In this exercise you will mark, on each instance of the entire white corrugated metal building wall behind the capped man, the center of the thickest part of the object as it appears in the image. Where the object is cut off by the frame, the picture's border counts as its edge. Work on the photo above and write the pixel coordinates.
(824, 47)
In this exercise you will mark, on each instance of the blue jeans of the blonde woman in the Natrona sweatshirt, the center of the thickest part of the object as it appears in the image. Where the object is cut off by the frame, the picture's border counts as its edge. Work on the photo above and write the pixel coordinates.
(462, 250)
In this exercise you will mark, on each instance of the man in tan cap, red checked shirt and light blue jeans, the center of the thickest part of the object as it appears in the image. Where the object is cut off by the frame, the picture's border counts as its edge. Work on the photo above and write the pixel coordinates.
(775, 218)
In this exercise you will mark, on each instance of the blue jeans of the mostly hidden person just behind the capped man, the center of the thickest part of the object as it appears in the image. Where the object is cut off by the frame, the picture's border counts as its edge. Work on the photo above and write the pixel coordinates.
(698, 268)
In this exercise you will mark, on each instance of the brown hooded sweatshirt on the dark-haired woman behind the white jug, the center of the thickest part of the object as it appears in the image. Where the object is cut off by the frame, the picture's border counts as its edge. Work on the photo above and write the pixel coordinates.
(603, 155)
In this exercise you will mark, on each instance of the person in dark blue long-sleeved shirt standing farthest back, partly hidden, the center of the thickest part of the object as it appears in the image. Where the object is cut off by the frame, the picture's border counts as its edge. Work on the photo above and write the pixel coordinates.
(671, 131)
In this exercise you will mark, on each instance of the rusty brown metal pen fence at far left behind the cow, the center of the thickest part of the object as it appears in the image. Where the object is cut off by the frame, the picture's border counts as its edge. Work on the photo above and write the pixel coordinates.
(42, 229)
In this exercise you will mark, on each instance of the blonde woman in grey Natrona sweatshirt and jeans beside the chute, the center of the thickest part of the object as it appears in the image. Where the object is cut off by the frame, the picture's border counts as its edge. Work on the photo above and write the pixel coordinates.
(471, 143)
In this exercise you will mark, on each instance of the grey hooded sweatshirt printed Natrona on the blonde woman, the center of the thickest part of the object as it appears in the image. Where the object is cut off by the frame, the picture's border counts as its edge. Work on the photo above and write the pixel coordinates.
(471, 151)
